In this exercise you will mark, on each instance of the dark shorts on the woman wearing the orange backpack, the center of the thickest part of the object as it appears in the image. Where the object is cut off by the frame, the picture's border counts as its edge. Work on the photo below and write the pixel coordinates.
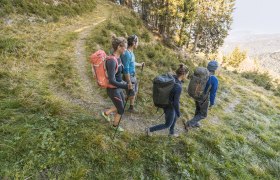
(117, 97)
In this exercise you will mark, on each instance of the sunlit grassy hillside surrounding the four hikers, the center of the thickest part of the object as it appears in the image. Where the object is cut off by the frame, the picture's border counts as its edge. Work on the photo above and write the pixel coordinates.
(50, 127)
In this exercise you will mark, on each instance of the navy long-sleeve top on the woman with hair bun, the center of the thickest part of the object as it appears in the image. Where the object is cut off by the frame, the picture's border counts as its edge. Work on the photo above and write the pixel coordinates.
(175, 96)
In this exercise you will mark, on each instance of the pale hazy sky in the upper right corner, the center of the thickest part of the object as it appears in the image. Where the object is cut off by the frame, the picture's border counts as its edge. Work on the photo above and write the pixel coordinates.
(257, 16)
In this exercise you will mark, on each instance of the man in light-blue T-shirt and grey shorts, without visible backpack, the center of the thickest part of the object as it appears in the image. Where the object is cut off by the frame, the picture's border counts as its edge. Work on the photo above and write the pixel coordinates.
(129, 63)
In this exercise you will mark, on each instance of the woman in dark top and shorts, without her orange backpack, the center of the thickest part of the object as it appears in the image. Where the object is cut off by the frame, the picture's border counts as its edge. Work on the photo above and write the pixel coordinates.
(115, 93)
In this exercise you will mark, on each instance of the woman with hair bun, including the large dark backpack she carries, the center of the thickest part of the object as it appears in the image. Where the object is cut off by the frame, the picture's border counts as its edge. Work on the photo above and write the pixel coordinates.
(166, 94)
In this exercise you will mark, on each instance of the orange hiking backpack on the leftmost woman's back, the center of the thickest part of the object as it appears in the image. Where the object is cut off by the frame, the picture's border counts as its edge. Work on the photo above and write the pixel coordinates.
(98, 63)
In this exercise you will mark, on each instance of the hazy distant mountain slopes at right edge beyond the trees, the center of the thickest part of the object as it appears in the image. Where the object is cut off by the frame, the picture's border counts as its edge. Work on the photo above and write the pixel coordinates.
(263, 51)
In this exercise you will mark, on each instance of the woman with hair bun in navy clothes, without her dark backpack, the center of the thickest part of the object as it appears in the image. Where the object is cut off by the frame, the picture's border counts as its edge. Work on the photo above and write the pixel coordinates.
(172, 111)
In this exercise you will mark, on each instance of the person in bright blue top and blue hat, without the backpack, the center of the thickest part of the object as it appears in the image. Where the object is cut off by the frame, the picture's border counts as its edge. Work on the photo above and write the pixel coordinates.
(210, 89)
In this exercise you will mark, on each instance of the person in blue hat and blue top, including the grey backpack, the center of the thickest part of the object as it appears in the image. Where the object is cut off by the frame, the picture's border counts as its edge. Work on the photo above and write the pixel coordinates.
(203, 88)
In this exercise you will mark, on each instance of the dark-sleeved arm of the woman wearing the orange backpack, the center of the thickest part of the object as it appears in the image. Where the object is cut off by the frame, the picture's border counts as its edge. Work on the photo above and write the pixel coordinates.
(111, 70)
